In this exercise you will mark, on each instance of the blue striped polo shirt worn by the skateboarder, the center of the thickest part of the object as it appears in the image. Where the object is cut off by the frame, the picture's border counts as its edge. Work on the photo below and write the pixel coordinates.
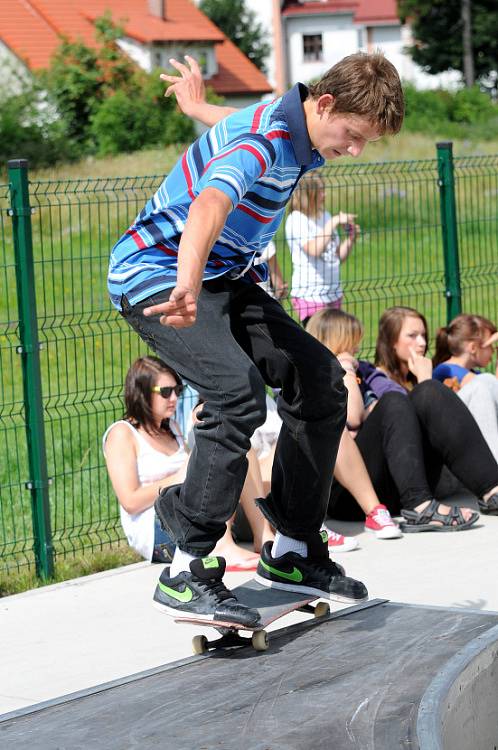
(256, 157)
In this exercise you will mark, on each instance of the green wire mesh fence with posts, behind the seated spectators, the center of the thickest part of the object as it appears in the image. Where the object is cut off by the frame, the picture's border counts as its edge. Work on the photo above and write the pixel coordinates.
(429, 240)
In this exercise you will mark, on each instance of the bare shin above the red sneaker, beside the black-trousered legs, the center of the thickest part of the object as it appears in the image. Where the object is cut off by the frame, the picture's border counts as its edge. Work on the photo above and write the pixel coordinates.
(351, 472)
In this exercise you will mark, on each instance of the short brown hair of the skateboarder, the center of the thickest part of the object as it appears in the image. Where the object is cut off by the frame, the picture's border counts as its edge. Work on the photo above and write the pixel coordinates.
(366, 85)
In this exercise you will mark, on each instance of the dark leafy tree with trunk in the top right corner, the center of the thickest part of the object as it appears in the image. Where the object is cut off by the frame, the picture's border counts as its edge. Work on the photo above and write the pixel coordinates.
(438, 31)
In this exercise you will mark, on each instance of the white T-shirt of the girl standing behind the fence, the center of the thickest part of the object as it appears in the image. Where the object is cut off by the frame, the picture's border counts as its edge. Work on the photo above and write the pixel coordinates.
(316, 279)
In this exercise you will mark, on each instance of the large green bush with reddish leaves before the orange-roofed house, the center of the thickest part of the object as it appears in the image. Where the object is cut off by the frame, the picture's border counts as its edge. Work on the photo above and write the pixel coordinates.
(107, 102)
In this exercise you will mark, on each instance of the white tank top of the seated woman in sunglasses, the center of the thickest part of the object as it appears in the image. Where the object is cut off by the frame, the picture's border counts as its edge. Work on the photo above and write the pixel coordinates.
(152, 466)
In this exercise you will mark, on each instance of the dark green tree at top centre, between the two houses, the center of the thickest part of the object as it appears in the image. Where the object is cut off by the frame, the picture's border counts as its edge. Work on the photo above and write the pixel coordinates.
(239, 24)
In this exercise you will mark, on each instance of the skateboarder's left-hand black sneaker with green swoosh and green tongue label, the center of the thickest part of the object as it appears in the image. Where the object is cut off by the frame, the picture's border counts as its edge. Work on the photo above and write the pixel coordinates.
(202, 595)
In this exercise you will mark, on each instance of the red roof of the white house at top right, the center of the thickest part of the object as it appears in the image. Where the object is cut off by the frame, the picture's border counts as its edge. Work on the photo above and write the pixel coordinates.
(364, 11)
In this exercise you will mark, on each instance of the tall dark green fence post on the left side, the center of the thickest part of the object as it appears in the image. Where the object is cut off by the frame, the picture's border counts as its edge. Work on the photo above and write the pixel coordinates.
(29, 351)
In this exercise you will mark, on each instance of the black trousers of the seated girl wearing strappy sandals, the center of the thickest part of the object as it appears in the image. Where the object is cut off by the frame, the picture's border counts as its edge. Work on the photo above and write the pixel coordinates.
(405, 443)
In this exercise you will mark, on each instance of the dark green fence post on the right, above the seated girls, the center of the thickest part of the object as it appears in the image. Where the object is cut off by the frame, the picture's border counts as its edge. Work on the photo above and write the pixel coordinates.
(453, 290)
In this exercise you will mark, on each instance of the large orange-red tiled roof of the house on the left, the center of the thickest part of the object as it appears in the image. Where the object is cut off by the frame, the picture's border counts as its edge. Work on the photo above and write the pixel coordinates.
(31, 29)
